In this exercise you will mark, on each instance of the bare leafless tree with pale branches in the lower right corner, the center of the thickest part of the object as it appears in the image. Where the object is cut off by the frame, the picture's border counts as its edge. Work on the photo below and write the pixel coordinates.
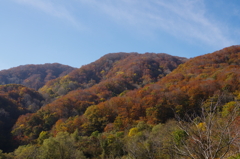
(209, 134)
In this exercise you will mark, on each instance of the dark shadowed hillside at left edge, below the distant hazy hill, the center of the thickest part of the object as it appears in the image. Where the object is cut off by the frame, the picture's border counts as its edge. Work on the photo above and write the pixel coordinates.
(15, 100)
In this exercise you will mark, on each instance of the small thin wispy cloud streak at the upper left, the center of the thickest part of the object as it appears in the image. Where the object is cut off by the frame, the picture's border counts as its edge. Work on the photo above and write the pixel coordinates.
(51, 8)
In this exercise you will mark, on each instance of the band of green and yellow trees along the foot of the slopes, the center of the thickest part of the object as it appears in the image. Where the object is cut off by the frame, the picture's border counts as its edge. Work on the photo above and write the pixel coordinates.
(213, 133)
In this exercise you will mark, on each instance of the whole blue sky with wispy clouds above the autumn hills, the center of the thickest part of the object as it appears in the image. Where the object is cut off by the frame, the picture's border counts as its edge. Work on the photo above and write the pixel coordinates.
(77, 32)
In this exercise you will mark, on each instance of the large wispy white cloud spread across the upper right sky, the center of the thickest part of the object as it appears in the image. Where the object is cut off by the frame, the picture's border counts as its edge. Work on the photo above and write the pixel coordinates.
(185, 19)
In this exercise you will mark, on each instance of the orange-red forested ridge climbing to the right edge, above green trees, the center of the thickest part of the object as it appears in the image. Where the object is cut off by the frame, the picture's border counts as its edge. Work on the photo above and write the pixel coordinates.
(182, 91)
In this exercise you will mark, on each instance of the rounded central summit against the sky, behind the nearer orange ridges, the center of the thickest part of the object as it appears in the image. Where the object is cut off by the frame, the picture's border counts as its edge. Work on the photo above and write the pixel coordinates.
(137, 69)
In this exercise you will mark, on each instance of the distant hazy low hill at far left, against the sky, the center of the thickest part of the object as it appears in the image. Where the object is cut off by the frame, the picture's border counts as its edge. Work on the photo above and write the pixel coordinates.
(33, 76)
